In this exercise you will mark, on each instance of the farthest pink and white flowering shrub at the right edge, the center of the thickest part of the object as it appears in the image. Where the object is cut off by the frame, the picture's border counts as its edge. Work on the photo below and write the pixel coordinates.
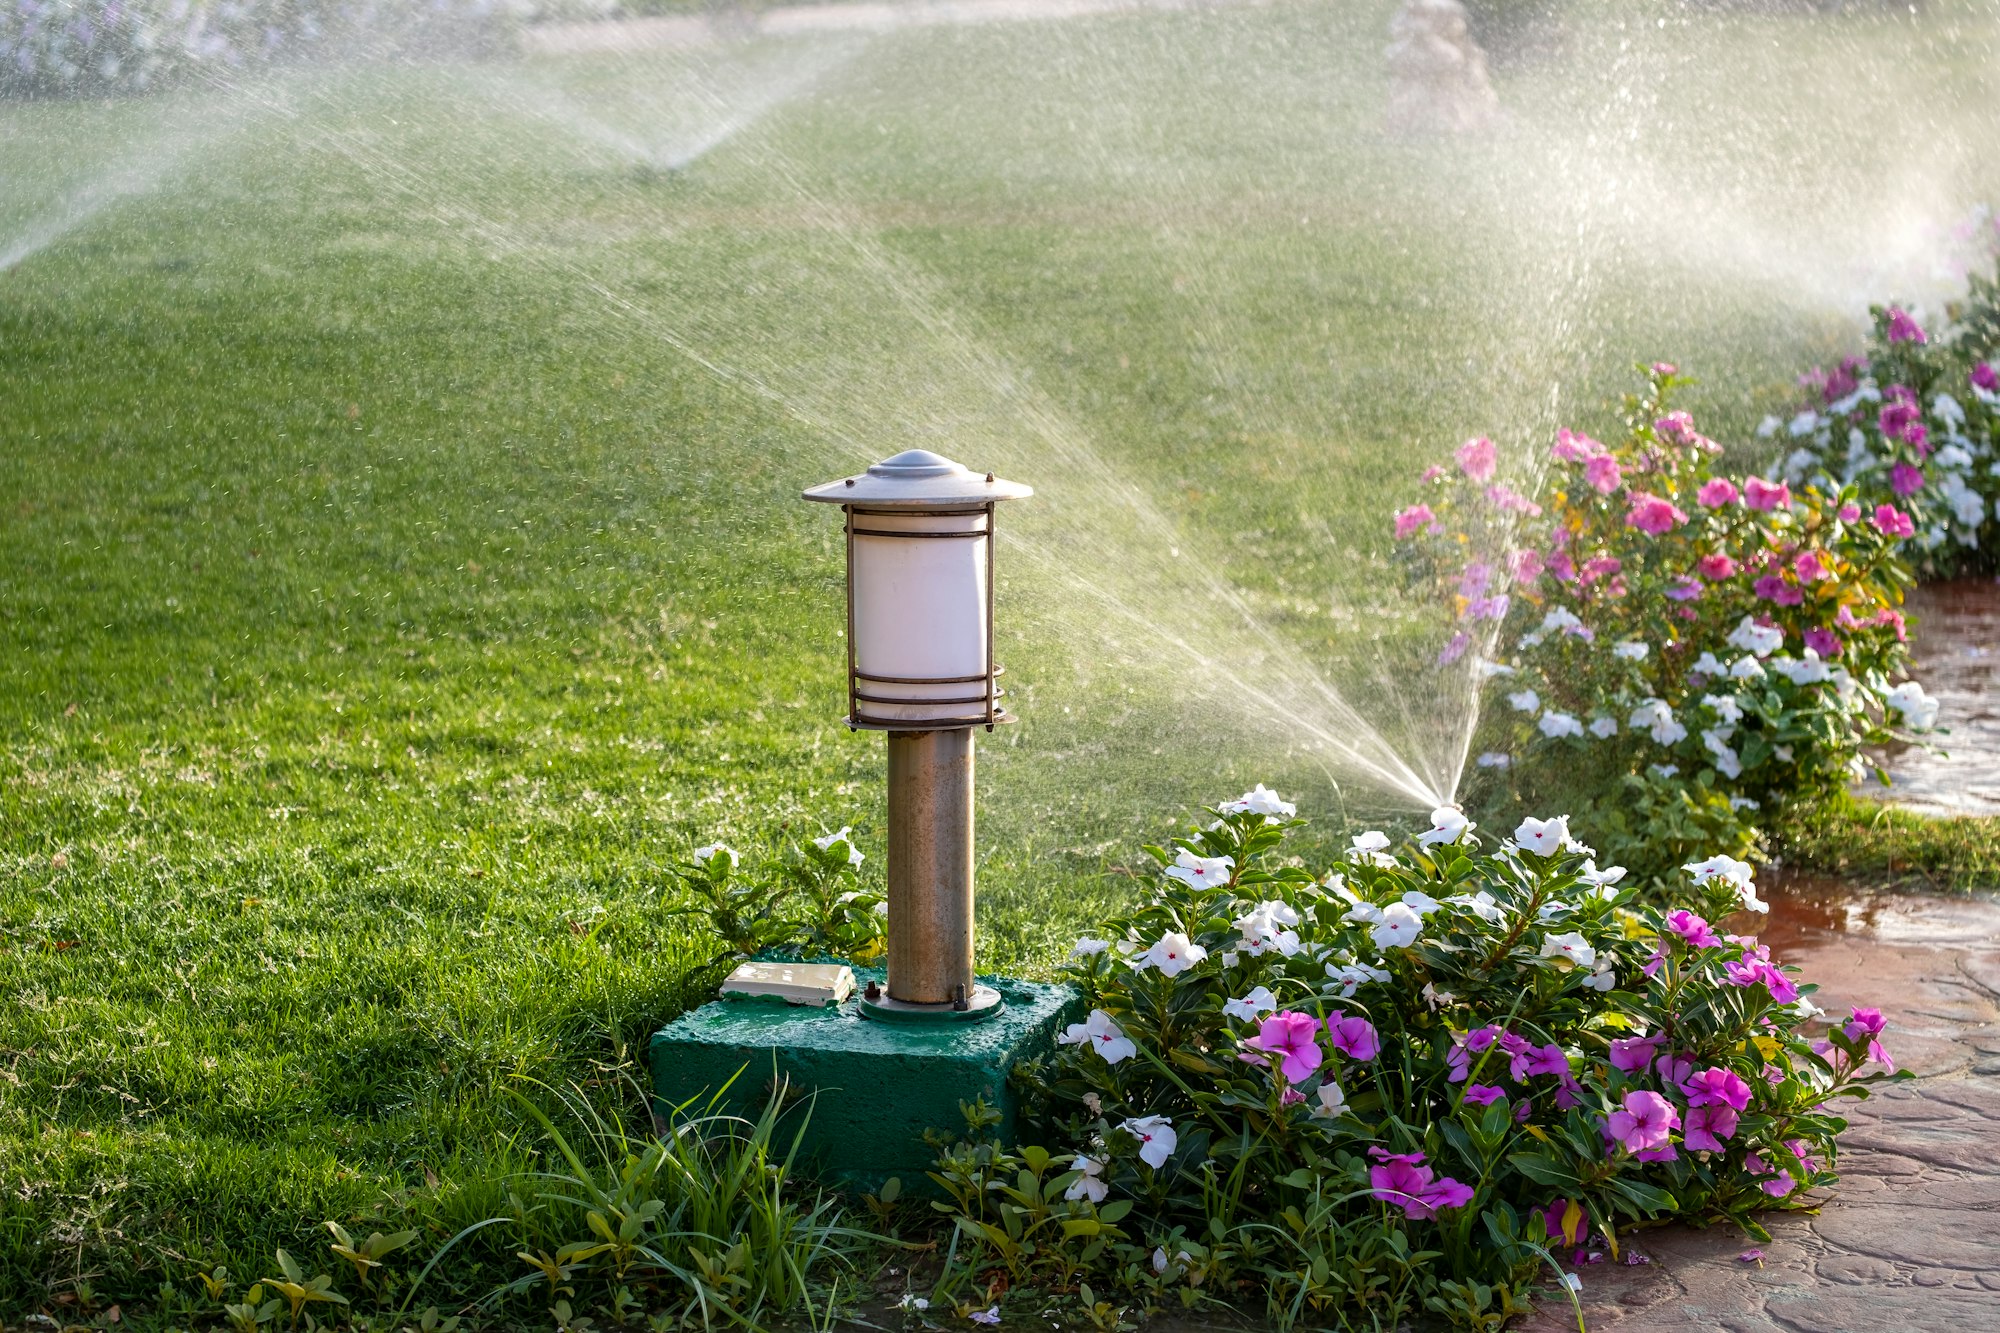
(1913, 425)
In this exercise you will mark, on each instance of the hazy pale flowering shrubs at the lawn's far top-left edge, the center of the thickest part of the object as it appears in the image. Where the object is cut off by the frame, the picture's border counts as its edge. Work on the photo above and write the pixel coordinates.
(97, 47)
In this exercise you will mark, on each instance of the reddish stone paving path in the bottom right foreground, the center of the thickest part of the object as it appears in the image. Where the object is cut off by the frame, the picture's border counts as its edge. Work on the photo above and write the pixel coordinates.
(1911, 1240)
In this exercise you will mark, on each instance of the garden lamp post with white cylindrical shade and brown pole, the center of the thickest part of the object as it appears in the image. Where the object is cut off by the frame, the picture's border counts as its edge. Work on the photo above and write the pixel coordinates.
(921, 668)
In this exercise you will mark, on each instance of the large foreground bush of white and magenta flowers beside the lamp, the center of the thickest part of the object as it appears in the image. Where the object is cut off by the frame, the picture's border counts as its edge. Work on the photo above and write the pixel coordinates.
(1405, 1086)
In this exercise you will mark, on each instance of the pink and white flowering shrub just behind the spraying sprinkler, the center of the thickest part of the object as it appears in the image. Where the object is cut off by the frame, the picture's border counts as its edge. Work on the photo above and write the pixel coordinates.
(1695, 649)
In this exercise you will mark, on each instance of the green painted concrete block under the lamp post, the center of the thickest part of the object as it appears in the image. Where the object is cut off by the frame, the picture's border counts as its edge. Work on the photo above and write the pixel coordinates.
(879, 1086)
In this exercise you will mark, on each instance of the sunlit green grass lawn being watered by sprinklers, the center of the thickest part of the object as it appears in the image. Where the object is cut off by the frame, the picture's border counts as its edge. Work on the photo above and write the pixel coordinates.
(401, 557)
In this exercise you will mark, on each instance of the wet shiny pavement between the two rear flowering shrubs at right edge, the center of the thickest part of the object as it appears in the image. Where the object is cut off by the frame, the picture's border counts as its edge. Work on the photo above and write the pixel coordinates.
(1957, 647)
